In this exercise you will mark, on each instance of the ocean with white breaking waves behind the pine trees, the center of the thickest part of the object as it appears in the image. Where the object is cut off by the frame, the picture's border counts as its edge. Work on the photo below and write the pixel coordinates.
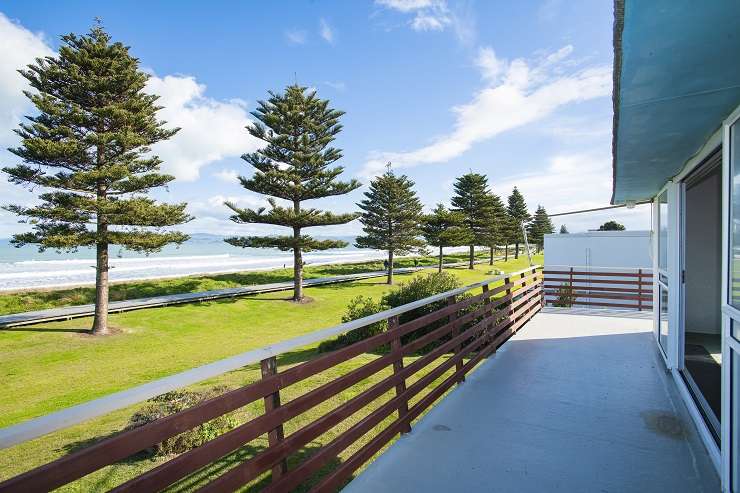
(26, 268)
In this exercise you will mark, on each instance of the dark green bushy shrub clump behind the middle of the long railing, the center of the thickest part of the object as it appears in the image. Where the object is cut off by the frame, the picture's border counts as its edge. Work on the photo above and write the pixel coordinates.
(418, 288)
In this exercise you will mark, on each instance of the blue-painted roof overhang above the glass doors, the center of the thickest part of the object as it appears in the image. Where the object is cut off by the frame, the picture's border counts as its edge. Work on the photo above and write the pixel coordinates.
(676, 78)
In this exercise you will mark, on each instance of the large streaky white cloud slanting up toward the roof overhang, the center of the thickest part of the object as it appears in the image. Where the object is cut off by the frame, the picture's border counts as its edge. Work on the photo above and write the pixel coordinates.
(521, 93)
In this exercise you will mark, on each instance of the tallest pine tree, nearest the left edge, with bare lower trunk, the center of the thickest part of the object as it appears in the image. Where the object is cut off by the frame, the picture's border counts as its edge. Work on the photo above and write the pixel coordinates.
(89, 150)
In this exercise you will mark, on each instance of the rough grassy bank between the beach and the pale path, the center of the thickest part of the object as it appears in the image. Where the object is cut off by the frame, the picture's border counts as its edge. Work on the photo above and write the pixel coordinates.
(23, 301)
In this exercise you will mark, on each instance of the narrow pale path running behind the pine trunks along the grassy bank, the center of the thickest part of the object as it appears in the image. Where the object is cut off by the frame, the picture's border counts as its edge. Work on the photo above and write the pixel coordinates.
(77, 311)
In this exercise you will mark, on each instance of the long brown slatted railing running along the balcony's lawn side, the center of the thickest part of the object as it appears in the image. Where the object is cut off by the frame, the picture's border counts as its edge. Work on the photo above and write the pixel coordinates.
(467, 328)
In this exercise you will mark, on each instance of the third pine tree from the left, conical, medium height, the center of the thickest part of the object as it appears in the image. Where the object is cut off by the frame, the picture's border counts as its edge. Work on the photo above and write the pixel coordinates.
(391, 213)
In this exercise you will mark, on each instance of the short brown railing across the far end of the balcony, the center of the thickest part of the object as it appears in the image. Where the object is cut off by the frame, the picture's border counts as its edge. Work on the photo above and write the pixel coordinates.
(599, 288)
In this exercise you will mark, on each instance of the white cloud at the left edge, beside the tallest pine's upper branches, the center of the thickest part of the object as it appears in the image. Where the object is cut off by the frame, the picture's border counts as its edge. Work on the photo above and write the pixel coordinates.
(20, 48)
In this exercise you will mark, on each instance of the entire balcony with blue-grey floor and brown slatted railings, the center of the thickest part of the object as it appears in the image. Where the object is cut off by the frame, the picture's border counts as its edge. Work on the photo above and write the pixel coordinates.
(487, 389)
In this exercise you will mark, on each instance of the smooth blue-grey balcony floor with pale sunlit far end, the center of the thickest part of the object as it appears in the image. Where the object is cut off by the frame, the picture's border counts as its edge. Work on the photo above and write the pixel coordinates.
(573, 402)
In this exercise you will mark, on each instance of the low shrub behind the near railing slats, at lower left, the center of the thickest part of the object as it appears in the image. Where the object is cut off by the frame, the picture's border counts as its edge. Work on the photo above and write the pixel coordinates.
(172, 402)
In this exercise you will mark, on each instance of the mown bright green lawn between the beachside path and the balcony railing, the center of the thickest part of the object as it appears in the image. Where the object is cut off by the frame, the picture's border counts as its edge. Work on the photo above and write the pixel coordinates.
(56, 365)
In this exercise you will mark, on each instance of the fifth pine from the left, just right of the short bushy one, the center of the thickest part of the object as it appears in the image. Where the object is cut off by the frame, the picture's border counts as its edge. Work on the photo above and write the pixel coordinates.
(472, 199)
